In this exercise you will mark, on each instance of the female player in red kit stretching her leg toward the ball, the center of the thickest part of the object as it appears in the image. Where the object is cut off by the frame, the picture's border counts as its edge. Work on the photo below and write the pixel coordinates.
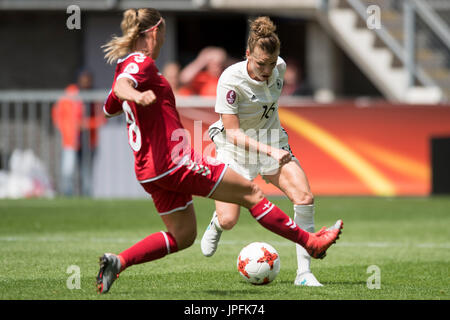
(168, 169)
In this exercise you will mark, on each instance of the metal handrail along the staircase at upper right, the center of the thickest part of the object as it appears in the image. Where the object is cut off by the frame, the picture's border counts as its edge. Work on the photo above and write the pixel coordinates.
(417, 35)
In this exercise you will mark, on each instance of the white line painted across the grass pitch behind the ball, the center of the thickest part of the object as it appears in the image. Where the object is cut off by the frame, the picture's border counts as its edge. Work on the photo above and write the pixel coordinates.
(56, 238)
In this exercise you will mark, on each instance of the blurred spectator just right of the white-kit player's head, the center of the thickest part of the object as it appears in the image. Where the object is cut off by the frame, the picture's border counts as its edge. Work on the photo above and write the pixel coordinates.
(294, 83)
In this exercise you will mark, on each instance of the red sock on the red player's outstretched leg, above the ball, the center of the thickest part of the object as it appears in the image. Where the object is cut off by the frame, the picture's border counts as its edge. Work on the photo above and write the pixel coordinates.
(271, 217)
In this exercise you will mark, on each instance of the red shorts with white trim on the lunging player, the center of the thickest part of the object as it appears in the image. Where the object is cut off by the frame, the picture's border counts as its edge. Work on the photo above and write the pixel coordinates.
(173, 191)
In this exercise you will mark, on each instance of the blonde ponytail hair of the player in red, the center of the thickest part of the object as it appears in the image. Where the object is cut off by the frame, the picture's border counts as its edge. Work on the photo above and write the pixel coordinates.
(134, 22)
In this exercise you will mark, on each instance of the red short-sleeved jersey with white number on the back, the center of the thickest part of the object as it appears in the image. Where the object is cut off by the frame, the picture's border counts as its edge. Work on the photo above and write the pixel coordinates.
(152, 129)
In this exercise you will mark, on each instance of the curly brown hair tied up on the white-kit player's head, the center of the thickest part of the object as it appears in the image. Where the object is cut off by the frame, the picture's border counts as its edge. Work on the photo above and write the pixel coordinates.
(262, 34)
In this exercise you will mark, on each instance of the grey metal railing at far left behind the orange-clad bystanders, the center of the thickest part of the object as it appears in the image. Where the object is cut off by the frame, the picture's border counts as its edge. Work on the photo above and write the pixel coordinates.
(26, 124)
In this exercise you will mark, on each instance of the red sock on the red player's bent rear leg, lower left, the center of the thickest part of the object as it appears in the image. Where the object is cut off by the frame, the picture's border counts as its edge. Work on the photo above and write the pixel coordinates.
(155, 246)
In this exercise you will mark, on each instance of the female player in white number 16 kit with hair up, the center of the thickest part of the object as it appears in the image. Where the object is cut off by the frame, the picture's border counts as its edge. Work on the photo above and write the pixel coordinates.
(250, 139)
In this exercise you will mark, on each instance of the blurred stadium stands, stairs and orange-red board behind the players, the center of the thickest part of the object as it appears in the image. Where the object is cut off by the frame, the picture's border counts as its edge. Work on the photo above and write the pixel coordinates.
(364, 129)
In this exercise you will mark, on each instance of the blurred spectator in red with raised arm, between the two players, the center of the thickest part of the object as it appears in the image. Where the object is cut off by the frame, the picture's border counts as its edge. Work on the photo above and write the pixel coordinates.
(200, 77)
